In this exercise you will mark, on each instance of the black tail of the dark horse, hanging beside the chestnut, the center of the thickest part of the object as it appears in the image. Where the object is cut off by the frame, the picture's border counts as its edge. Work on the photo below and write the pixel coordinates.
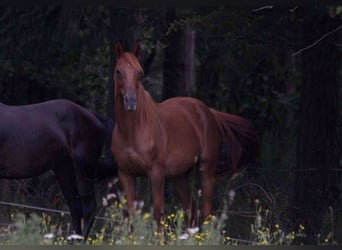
(106, 166)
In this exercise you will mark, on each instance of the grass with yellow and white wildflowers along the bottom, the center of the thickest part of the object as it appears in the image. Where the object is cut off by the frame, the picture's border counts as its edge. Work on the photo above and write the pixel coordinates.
(116, 230)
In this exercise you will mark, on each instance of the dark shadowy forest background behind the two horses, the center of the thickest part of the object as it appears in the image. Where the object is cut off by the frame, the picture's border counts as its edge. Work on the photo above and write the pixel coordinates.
(279, 67)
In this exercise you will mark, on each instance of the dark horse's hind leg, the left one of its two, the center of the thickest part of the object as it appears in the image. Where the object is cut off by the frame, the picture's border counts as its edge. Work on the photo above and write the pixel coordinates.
(66, 179)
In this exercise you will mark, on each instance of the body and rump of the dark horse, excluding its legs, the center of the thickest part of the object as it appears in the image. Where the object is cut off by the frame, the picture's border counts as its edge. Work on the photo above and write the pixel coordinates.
(37, 137)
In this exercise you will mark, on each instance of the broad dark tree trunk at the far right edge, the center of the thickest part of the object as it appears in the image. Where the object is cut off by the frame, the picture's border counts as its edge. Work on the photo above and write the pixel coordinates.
(316, 178)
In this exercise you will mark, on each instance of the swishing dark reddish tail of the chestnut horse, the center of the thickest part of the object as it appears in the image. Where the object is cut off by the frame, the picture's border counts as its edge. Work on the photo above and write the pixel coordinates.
(239, 145)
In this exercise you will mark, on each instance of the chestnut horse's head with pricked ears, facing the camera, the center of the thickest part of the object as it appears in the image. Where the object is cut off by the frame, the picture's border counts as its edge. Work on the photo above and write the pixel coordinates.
(128, 75)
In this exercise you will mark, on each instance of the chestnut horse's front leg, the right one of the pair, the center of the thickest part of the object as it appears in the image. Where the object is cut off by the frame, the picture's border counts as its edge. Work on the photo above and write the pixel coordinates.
(157, 177)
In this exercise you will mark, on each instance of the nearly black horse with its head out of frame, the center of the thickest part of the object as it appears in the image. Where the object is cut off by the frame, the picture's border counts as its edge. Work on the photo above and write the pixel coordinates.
(56, 135)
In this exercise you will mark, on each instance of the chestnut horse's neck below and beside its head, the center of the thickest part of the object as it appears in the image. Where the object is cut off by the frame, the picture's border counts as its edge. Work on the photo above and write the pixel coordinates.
(145, 117)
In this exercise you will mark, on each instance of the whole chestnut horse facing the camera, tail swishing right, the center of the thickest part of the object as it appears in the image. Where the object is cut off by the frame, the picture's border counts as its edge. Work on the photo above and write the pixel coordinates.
(167, 139)
